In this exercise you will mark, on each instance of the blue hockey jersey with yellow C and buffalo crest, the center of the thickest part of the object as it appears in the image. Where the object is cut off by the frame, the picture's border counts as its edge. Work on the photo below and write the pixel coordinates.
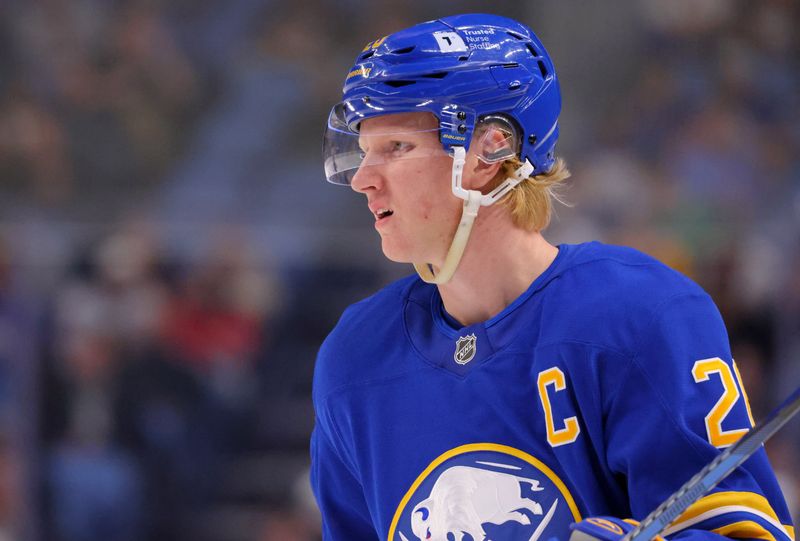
(599, 391)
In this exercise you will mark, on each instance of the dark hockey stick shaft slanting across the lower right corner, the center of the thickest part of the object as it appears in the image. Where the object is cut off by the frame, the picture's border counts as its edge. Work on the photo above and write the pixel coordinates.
(716, 470)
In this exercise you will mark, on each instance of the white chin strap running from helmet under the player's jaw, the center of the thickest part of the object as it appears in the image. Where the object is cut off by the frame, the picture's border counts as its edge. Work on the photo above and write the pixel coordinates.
(473, 200)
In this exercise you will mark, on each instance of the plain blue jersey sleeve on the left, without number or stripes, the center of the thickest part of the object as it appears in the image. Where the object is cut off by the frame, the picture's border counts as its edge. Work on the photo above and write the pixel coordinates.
(339, 494)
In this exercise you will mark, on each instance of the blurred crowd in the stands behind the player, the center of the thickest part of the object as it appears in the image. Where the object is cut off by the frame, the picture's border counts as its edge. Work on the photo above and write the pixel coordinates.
(171, 256)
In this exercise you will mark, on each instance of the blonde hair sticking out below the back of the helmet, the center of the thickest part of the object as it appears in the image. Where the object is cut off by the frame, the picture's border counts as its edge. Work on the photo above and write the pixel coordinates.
(531, 202)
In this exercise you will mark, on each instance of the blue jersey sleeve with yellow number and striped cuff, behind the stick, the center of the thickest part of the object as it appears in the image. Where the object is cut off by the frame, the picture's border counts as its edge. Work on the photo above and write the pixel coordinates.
(677, 404)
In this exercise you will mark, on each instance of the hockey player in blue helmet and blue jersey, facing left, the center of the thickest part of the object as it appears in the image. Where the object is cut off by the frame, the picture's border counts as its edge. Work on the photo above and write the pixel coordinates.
(513, 387)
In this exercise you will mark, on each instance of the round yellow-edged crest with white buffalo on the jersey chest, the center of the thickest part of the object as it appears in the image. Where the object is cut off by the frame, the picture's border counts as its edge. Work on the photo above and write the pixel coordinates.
(485, 492)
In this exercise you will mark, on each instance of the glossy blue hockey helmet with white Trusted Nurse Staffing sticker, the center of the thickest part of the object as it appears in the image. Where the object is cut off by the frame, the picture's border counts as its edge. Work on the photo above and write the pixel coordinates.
(463, 69)
